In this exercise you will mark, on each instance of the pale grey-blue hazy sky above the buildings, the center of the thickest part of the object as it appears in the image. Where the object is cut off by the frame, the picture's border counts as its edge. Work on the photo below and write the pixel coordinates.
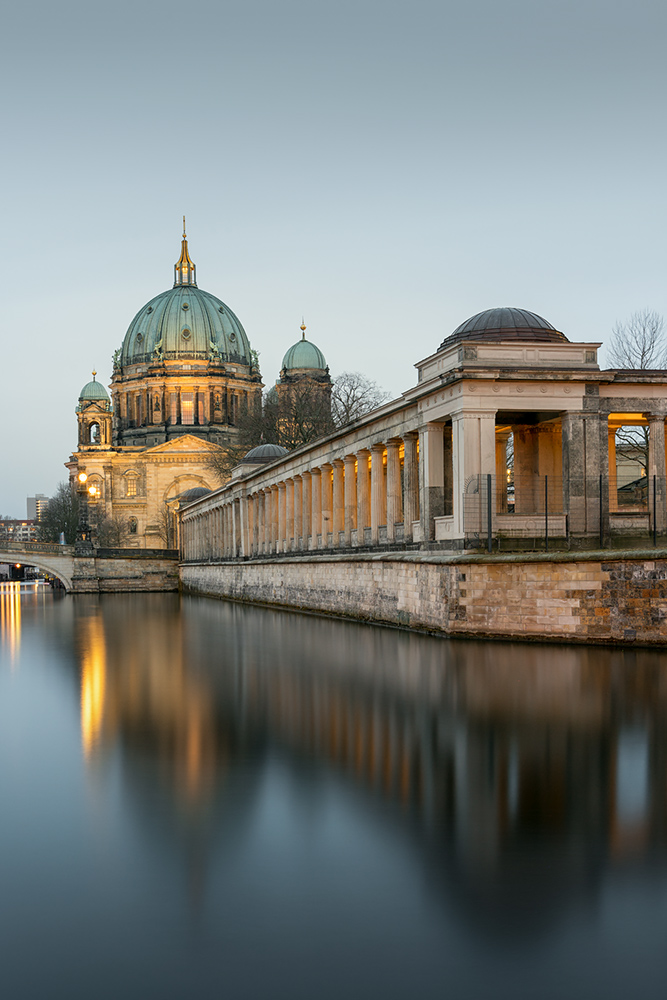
(383, 169)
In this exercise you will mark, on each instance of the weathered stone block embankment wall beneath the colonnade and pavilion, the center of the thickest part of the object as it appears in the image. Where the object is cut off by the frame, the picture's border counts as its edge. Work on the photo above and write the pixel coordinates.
(589, 598)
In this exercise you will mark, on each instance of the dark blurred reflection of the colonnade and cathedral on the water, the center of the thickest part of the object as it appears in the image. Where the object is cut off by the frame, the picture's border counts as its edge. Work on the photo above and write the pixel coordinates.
(520, 772)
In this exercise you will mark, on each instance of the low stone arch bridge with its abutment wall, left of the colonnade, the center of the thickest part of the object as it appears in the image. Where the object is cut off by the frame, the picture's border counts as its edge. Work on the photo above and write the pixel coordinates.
(98, 571)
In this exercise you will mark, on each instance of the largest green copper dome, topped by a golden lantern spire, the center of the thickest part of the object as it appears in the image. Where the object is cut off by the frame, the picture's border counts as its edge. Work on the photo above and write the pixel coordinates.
(185, 323)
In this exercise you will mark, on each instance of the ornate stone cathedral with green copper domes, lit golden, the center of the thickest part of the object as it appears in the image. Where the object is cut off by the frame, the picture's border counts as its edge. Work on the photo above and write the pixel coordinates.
(182, 377)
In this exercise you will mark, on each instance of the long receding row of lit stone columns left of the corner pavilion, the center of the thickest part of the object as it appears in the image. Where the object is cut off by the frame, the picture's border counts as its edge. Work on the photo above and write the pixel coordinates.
(367, 497)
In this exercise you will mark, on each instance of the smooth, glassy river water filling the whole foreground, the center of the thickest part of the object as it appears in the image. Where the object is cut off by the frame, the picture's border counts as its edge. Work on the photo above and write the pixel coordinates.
(201, 799)
